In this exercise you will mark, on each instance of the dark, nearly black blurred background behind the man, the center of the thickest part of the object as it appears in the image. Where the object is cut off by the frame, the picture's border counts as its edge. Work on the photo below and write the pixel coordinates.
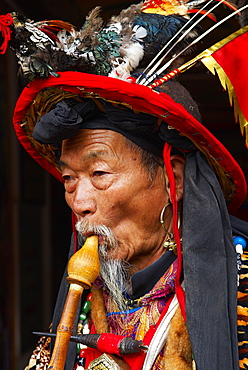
(34, 219)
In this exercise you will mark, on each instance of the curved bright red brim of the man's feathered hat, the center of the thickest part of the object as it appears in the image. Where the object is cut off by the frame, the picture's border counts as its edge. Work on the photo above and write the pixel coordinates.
(137, 97)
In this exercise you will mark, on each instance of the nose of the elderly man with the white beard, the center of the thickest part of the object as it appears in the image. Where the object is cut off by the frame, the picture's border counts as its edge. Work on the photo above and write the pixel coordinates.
(83, 200)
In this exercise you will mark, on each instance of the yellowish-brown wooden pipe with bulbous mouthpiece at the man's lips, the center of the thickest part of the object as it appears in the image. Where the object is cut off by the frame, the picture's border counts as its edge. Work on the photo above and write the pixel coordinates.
(83, 269)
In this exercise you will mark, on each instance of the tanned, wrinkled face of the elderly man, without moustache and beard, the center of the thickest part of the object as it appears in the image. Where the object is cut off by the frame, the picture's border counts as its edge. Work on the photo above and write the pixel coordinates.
(105, 183)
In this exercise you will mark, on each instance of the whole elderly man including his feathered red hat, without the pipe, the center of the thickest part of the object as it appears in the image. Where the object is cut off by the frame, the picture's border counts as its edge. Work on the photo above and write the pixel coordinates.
(144, 175)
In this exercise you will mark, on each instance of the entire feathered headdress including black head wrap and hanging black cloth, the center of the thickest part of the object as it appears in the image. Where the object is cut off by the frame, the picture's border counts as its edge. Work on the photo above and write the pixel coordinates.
(98, 70)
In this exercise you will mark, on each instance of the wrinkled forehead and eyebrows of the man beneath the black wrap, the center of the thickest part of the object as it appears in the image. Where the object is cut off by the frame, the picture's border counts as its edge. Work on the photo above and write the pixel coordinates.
(102, 147)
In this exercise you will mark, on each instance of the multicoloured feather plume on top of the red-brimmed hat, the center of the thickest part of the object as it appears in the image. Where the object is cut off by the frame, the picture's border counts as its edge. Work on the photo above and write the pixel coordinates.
(129, 41)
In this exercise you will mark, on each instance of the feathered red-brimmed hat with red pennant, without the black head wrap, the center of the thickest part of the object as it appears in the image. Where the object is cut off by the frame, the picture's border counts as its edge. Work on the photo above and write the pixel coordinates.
(134, 48)
